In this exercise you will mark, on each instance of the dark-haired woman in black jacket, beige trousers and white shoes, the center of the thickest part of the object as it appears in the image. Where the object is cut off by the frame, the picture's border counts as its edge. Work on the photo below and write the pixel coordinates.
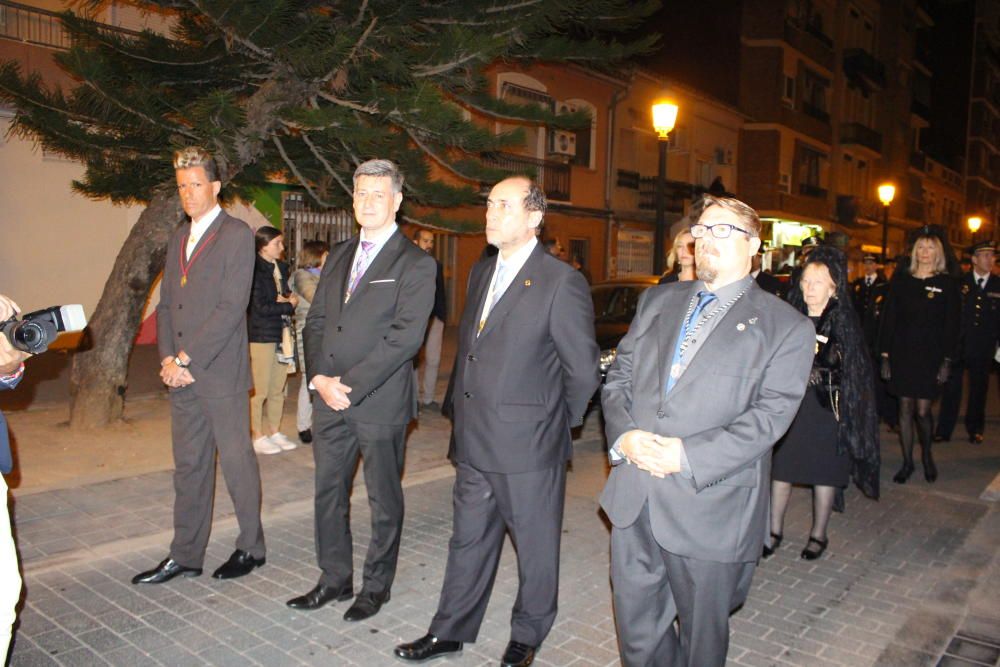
(271, 307)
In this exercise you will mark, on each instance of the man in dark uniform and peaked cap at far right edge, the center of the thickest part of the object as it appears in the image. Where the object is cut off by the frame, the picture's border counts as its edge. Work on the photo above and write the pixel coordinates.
(979, 331)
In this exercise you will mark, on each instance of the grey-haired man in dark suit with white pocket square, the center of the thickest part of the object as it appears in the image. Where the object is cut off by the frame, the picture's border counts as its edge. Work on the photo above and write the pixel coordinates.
(365, 326)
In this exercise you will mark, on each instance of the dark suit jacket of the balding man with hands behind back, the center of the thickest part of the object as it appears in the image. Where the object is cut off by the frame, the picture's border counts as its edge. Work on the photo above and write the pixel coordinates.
(518, 387)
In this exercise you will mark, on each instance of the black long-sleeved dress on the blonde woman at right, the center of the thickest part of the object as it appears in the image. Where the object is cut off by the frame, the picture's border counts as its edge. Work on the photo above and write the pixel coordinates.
(919, 329)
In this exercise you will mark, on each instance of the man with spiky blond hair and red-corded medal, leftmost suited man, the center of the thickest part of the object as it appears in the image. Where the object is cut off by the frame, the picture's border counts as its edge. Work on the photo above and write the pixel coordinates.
(201, 330)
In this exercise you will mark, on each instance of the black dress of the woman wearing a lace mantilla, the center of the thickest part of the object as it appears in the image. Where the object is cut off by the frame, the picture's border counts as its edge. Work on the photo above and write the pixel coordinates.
(808, 452)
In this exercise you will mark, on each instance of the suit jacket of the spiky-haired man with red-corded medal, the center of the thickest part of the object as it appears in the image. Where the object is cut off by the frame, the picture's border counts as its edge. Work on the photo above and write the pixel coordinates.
(207, 317)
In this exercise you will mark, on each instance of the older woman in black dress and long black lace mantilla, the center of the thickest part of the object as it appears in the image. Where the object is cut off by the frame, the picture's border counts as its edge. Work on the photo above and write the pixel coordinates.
(834, 436)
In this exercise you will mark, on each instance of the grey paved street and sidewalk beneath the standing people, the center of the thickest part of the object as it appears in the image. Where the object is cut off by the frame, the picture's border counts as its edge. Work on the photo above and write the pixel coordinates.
(912, 579)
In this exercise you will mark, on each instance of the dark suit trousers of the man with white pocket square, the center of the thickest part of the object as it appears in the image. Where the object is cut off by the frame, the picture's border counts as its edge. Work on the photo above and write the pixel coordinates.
(337, 443)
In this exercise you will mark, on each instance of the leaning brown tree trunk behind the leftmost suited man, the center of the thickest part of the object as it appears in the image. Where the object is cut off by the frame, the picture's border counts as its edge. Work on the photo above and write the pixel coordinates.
(98, 378)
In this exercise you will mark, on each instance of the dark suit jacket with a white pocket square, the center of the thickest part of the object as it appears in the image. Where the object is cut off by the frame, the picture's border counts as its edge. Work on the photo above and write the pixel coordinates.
(370, 340)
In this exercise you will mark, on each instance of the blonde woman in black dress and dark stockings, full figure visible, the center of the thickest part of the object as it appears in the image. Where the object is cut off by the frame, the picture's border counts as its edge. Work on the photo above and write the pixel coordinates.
(918, 340)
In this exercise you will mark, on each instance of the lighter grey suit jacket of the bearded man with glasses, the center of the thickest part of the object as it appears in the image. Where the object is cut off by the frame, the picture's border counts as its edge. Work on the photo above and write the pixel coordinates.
(737, 397)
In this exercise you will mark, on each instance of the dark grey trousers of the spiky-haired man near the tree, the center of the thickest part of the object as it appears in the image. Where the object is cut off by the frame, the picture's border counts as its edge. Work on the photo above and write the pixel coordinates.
(201, 427)
